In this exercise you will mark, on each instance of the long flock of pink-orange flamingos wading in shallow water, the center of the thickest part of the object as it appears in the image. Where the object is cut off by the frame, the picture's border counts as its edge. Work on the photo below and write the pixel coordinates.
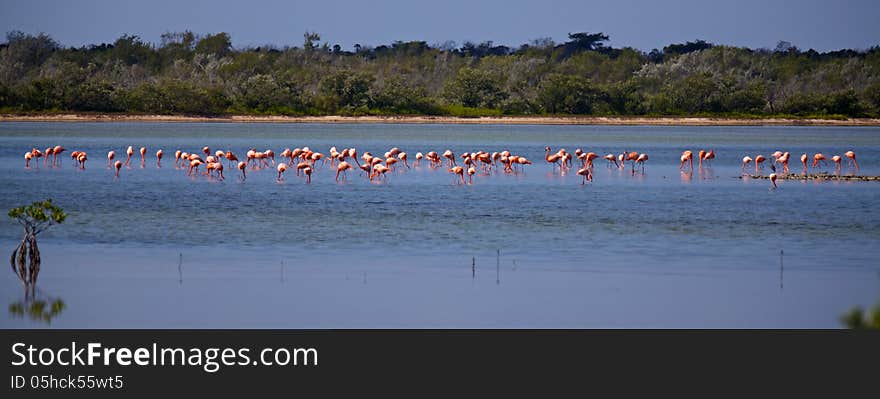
(305, 161)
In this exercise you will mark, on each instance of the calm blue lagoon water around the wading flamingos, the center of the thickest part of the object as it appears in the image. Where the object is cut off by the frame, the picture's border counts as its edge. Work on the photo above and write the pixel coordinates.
(659, 249)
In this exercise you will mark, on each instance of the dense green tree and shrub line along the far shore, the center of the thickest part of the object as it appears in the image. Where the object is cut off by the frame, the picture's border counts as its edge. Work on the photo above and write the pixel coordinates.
(191, 74)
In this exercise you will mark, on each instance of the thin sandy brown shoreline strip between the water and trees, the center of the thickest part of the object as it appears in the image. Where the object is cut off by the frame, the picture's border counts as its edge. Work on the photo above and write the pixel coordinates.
(658, 121)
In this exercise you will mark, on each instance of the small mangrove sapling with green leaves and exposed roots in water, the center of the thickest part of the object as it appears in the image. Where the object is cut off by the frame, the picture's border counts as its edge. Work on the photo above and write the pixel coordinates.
(25, 259)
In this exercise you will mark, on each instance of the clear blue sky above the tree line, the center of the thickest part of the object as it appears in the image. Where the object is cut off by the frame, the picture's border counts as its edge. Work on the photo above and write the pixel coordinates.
(822, 25)
